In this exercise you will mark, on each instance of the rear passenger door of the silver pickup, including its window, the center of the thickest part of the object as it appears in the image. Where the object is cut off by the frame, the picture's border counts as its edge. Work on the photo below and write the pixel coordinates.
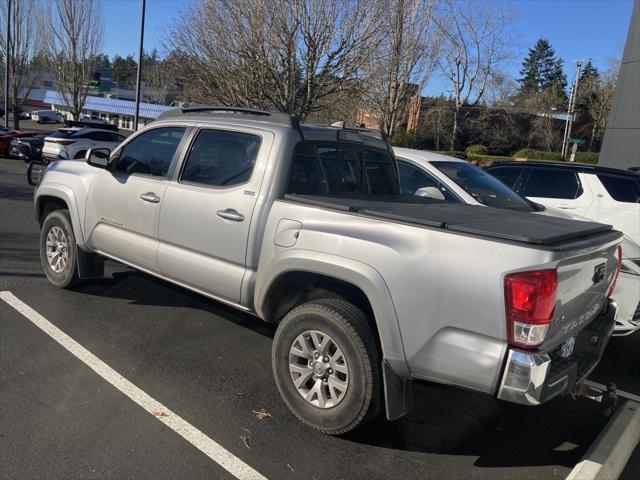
(206, 213)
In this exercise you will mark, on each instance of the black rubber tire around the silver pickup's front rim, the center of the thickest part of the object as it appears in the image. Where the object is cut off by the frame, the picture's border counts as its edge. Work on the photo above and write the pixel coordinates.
(68, 277)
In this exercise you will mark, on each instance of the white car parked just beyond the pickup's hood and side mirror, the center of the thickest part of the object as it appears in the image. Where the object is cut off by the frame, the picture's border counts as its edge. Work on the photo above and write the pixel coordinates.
(73, 142)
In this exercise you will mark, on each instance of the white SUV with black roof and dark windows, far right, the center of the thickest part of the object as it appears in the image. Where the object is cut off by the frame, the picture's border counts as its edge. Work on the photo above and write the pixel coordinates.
(606, 195)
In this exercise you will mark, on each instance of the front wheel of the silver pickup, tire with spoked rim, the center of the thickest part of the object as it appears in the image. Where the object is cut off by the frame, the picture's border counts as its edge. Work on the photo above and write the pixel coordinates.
(57, 227)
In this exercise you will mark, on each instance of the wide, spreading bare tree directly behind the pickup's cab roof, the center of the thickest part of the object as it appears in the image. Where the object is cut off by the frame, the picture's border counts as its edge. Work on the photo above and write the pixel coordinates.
(296, 56)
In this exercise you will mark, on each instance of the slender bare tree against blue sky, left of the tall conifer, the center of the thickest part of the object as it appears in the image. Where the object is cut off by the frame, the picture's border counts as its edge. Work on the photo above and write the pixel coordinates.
(474, 42)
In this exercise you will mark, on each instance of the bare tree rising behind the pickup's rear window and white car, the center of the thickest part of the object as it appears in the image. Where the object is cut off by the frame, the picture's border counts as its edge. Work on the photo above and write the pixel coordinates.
(401, 66)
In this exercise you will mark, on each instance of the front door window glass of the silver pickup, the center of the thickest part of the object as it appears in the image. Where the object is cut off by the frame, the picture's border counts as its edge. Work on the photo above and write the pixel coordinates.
(150, 153)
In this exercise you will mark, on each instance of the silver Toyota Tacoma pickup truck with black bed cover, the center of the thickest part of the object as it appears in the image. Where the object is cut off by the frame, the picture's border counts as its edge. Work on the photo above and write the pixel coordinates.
(305, 227)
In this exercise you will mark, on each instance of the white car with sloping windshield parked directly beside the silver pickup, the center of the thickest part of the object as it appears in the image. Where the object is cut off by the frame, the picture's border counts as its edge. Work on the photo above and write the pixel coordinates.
(442, 177)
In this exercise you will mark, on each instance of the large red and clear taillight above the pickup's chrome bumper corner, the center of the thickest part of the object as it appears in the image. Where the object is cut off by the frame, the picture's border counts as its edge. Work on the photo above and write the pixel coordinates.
(530, 299)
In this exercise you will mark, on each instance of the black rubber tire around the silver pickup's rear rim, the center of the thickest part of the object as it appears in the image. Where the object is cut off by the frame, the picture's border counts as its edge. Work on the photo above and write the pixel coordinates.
(348, 327)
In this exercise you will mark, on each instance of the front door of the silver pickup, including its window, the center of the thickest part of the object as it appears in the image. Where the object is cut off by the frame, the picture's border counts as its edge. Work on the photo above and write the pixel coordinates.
(123, 205)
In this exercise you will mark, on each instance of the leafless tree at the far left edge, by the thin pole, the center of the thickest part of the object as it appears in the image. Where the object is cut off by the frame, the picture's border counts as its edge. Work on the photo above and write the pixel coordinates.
(23, 49)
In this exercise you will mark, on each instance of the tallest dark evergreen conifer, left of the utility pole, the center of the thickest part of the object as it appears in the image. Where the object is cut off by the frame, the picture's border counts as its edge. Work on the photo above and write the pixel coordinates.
(541, 70)
